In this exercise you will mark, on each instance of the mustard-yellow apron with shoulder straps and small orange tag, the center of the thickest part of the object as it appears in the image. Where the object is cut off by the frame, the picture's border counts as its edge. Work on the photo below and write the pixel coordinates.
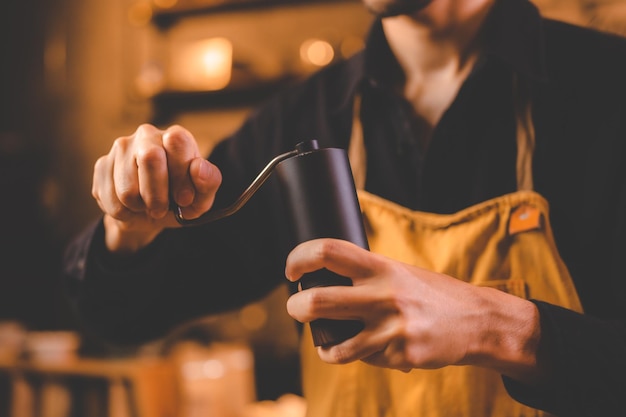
(505, 243)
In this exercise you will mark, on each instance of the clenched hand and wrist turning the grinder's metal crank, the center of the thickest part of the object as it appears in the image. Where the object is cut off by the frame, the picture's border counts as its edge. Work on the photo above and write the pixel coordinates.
(135, 183)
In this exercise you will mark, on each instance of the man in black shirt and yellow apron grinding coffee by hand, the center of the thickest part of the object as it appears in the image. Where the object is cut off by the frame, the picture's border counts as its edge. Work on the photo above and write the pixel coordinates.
(483, 132)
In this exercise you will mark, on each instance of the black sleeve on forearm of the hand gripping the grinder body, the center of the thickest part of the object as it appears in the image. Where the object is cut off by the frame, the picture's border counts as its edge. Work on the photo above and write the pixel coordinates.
(588, 359)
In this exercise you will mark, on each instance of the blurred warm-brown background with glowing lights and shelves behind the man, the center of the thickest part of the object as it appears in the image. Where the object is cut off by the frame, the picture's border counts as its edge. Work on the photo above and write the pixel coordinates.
(75, 75)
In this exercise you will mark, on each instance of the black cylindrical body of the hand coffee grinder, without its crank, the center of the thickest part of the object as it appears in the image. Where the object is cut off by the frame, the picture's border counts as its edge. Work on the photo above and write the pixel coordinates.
(320, 197)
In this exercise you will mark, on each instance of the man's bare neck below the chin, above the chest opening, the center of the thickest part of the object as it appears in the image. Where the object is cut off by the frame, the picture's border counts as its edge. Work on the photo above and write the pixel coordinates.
(442, 35)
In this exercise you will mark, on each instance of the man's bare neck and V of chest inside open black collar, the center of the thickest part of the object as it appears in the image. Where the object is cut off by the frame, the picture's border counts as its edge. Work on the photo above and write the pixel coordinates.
(436, 49)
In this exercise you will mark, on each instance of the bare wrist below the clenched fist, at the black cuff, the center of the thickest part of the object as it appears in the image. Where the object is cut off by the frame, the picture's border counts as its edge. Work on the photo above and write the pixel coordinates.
(121, 240)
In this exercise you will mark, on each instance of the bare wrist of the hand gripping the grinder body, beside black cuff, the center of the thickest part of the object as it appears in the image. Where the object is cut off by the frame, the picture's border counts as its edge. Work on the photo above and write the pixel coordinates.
(508, 341)
